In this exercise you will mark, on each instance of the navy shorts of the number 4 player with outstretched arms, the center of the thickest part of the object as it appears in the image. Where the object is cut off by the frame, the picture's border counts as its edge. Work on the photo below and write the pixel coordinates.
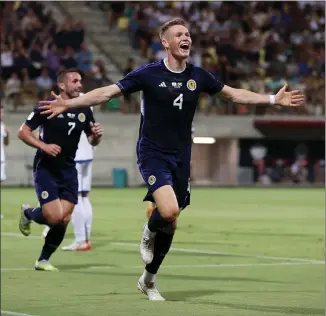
(158, 169)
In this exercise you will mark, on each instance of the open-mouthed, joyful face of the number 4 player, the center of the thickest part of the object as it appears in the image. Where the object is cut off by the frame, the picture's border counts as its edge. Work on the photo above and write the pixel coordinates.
(178, 41)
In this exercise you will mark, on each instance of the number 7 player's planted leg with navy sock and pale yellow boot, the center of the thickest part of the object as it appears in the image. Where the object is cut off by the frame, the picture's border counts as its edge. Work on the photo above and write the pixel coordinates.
(54, 238)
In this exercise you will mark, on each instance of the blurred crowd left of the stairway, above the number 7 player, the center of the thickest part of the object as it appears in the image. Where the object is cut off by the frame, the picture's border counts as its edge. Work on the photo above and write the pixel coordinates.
(34, 47)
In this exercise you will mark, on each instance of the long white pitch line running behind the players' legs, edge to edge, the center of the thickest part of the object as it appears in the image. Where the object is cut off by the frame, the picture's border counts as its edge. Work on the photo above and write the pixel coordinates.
(205, 252)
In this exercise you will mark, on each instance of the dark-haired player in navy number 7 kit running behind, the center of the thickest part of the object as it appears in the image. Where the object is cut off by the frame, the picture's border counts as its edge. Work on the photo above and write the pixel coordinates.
(55, 174)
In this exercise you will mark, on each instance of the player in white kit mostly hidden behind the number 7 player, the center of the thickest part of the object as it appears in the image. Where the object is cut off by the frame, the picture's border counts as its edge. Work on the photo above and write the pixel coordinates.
(82, 215)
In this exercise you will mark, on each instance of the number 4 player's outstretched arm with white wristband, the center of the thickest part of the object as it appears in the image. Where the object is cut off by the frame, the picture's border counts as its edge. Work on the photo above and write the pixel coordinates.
(283, 98)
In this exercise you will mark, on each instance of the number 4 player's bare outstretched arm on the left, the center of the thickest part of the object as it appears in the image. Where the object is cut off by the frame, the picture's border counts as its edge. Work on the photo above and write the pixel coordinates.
(92, 98)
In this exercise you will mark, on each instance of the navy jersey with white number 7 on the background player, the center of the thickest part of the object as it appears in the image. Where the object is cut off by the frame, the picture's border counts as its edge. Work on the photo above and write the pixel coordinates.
(63, 130)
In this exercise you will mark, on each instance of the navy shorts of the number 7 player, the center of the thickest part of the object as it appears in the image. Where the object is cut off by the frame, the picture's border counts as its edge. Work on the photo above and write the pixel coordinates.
(49, 187)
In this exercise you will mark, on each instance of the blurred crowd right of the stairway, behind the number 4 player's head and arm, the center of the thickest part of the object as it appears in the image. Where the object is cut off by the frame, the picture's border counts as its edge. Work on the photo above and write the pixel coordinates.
(252, 45)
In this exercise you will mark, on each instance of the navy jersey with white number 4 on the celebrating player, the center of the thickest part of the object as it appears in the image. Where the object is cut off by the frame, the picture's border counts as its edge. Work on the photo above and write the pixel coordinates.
(169, 101)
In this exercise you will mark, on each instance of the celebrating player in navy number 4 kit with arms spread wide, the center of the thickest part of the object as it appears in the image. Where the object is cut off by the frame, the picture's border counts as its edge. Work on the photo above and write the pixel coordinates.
(171, 89)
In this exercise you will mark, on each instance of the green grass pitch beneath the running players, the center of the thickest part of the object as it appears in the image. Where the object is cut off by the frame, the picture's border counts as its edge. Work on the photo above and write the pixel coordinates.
(238, 252)
